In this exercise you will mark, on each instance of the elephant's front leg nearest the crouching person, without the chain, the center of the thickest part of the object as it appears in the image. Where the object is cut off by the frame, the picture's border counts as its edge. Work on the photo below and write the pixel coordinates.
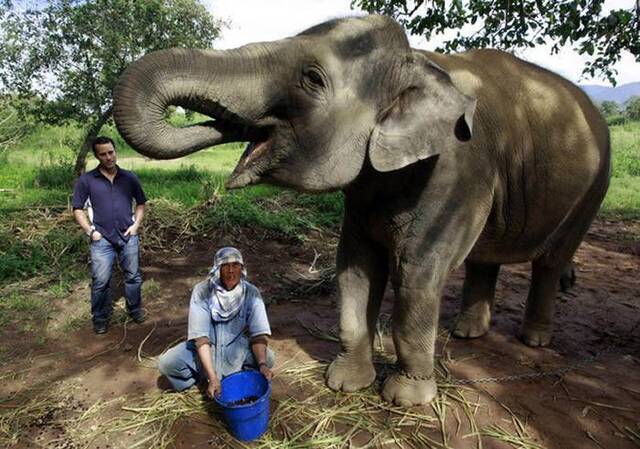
(362, 277)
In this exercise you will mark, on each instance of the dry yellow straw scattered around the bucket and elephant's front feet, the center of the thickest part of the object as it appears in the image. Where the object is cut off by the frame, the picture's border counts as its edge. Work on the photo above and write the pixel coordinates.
(319, 417)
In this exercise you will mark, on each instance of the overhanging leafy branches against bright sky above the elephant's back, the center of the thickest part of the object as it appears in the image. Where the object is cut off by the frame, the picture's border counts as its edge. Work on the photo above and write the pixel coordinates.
(511, 24)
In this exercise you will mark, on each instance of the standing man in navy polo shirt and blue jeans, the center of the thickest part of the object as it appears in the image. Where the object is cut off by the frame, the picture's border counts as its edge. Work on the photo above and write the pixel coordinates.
(114, 231)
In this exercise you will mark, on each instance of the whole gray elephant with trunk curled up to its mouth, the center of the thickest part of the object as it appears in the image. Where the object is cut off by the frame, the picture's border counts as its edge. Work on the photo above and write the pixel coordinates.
(476, 157)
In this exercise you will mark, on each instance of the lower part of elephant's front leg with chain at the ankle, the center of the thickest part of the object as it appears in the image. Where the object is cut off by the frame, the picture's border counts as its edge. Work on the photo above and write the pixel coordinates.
(415, 324)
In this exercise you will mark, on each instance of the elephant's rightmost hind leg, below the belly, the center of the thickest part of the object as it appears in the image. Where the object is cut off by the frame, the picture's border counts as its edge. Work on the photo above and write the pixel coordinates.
(537, 326)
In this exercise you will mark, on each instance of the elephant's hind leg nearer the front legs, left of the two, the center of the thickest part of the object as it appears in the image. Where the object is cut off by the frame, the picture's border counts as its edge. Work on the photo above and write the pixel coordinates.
(477, 300)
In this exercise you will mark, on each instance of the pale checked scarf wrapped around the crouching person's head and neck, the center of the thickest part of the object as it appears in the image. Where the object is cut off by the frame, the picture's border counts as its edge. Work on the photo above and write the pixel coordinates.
(225, 304)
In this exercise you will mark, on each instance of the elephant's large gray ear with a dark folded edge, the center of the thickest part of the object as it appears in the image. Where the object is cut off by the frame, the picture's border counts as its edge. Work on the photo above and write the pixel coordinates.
(429, 116)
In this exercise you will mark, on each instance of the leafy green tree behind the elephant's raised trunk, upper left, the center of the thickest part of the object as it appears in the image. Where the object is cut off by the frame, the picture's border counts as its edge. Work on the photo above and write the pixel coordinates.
(67, 55)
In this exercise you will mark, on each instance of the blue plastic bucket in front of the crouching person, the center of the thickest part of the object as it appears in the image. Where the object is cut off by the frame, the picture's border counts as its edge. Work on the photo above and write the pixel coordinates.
(245, 421)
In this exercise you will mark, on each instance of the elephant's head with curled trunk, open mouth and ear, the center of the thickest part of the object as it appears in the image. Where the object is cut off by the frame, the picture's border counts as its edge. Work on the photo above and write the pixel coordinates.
(315, 108)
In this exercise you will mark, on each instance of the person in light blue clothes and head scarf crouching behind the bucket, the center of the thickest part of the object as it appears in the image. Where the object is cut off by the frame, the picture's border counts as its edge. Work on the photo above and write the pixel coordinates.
(228, 329)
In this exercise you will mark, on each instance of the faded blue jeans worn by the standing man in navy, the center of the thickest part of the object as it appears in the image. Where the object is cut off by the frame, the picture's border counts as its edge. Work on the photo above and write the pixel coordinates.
(103, 254)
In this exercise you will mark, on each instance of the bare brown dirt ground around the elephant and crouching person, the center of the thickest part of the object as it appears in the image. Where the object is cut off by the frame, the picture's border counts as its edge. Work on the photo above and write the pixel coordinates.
(586, 393)
